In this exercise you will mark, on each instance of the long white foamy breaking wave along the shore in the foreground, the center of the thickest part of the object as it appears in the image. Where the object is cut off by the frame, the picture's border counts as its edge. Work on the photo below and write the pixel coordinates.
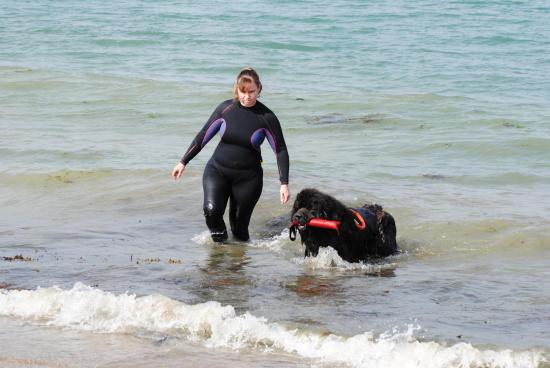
(91, 309)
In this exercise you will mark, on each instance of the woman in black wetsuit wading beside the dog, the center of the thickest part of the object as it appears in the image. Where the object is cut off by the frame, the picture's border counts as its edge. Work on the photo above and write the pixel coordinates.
(234, 171)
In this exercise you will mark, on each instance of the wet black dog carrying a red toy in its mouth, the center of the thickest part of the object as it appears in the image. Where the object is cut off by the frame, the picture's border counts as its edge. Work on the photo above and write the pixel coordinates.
(357, 235)
